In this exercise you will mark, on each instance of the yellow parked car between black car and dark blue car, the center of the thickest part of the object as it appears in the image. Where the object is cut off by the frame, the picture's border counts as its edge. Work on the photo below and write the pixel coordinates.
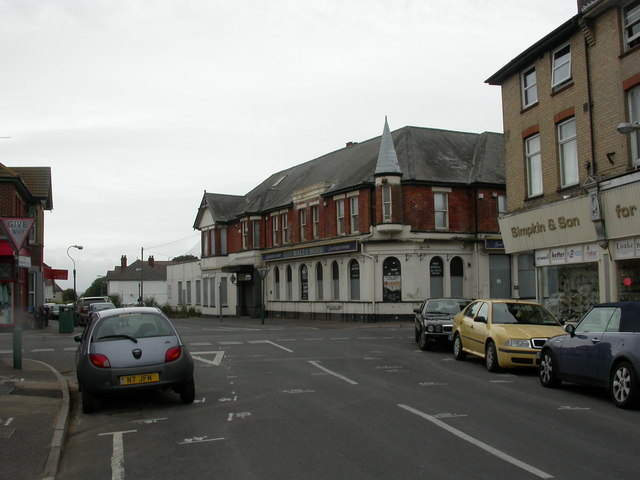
(506, 333)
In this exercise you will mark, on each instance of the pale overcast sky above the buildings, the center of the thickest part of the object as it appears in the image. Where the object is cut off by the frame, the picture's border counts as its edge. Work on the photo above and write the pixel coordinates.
(140, 106)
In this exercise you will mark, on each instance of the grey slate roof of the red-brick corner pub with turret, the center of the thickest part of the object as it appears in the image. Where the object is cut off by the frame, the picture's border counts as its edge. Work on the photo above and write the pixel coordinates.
(425, 155)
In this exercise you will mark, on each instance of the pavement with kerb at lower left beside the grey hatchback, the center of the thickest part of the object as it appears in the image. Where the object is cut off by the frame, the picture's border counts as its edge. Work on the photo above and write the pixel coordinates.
(34, 416)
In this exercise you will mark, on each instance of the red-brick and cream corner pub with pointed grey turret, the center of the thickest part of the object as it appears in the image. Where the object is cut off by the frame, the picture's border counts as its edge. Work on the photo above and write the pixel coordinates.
(360, 234)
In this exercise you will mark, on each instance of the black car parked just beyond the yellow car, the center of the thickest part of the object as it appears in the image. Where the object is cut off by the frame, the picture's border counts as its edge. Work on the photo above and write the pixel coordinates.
(434, 320)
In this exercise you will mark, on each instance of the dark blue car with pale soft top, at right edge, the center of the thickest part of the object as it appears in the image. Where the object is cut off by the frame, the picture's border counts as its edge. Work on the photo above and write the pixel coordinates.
(602, 350)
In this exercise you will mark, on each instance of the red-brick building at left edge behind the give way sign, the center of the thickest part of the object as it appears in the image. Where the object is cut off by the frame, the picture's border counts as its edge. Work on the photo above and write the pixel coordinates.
(25, 193)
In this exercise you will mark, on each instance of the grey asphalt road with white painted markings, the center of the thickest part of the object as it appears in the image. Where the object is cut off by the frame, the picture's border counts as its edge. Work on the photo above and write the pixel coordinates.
(334, 401)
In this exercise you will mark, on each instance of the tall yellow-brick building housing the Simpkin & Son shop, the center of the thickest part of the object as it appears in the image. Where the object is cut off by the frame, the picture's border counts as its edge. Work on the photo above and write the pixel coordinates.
(573, 188)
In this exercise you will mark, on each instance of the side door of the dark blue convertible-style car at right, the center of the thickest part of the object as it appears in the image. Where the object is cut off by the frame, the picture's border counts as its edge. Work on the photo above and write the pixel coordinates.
(584, 353)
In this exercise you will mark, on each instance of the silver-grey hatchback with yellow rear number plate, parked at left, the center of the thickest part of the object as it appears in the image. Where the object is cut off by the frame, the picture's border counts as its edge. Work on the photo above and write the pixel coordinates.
(131, 349)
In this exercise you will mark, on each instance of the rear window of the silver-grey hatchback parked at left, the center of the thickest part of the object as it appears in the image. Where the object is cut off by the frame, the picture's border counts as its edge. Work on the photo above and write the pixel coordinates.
(132, 325)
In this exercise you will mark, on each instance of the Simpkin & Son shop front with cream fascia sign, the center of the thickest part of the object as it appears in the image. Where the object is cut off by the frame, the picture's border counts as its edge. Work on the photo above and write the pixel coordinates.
(586, 249)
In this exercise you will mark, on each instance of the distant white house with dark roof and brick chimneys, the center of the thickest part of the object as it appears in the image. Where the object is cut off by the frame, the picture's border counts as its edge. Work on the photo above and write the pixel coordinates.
(140, 280)
